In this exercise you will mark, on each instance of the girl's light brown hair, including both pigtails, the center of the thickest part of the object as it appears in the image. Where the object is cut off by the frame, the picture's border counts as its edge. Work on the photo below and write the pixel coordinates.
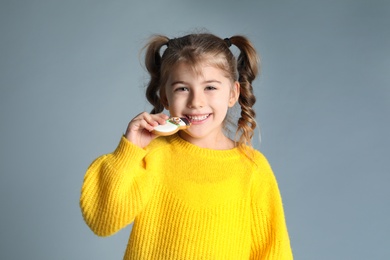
(195, 49)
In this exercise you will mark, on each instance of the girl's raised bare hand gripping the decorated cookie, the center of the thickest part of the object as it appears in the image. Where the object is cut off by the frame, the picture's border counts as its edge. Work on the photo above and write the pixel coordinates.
(139, 129)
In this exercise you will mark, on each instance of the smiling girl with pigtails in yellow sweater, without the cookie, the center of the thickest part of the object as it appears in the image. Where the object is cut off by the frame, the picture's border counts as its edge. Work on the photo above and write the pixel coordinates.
(196, 194)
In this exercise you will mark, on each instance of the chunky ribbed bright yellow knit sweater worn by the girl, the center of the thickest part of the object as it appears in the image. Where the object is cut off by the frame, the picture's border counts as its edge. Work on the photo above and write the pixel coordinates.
(186, 202)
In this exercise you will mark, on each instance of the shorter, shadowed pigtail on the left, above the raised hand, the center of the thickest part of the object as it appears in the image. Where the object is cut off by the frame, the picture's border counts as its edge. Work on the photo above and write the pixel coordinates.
(153, 66)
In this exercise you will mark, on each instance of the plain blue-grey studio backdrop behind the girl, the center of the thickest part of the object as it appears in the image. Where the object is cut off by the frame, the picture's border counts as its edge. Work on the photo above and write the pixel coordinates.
(71, 79)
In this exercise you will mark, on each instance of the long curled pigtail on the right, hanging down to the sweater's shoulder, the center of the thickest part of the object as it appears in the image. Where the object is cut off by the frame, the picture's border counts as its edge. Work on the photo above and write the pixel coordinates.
(247, 65)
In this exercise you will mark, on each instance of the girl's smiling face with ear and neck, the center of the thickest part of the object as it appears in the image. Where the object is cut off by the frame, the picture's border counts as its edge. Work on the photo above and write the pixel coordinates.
(204, 98)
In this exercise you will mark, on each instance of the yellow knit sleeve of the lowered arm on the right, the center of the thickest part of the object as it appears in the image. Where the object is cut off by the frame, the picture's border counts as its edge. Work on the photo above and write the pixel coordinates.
(270, 238)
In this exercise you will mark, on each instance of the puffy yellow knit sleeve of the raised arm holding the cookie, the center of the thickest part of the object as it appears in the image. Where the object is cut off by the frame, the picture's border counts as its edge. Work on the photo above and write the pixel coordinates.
(115, 189)
